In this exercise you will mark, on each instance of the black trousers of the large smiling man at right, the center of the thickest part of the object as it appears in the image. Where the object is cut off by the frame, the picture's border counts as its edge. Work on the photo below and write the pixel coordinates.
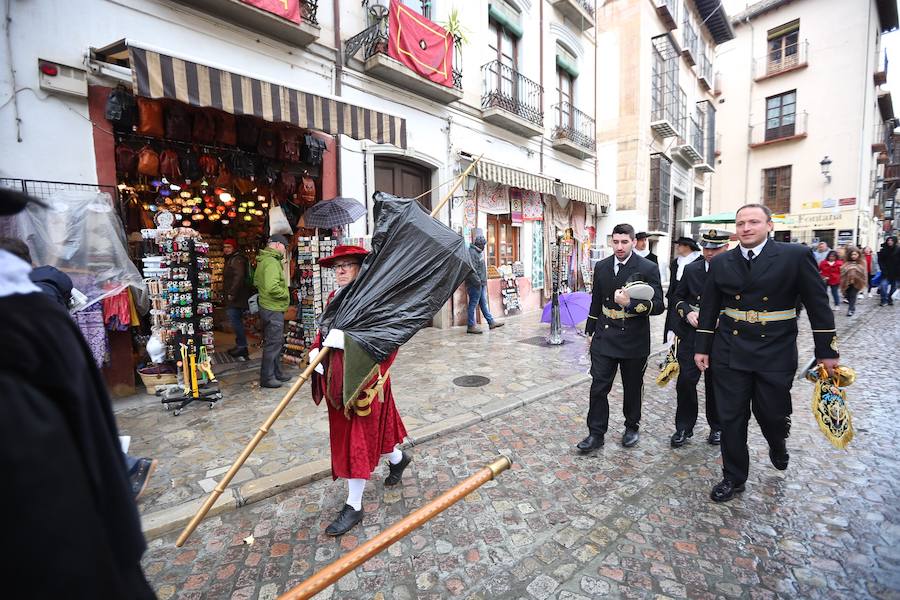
(768, 393)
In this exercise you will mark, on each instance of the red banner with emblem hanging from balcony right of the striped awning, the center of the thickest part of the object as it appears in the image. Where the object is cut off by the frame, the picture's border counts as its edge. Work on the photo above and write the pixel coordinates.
(421, 45)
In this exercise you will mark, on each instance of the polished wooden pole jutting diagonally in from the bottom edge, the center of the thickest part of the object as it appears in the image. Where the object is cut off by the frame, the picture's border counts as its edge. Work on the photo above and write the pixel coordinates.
(321, 580)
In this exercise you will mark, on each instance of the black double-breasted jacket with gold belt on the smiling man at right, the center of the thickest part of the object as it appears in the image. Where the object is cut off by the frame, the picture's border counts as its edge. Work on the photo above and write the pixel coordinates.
(780, 274)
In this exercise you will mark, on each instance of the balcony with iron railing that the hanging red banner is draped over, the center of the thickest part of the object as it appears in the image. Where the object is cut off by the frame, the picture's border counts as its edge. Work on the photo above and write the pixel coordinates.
(373, 43)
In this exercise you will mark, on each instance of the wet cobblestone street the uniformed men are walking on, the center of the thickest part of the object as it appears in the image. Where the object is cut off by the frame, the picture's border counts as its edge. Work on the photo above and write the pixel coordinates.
(631, 523)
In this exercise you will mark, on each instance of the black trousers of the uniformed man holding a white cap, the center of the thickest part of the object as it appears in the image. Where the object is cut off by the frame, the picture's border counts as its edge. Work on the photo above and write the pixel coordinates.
(603, 372)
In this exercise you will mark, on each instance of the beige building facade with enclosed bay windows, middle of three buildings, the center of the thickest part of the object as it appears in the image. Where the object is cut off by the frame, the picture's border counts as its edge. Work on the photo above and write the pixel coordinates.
(657, 116)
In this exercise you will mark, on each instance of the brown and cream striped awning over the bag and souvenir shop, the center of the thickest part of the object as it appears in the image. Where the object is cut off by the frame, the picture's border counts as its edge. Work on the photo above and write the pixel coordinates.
(156, 75)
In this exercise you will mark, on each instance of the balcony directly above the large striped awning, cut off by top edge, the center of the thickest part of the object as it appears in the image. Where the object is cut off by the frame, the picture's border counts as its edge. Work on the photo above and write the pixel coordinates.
(269, 23)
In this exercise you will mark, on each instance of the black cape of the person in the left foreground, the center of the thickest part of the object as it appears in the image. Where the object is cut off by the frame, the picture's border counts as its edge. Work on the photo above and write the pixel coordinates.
(70, 520)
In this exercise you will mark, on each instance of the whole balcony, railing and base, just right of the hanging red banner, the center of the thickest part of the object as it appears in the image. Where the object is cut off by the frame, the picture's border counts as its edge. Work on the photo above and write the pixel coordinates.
(511, 100)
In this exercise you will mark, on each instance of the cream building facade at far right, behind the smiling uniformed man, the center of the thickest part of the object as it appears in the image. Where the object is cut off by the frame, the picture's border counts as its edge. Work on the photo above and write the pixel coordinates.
(805, 124)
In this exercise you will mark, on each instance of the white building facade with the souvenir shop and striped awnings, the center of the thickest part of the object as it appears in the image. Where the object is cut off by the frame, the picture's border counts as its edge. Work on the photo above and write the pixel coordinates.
(523, 97)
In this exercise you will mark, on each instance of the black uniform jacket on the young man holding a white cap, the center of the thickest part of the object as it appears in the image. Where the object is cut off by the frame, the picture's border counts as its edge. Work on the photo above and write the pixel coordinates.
(628, 337)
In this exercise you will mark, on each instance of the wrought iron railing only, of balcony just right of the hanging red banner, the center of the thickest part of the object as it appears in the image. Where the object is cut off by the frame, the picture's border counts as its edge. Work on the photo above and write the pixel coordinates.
(506, 88)
